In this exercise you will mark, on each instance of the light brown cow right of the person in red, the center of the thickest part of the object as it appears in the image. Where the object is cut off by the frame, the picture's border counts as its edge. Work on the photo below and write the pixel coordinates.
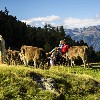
(78, 51)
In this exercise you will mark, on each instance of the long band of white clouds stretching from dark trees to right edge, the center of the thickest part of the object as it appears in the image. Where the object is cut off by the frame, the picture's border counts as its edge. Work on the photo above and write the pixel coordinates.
(69, 22)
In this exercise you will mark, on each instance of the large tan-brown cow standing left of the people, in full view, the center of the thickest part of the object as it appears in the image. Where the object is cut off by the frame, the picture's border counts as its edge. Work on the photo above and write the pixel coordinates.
(32, 54)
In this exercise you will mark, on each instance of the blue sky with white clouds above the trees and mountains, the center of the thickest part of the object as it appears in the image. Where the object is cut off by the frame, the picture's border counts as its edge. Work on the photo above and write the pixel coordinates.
(66, 13)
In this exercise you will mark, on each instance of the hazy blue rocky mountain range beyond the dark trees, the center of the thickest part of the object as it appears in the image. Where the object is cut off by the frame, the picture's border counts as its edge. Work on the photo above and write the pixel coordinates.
(90, 35)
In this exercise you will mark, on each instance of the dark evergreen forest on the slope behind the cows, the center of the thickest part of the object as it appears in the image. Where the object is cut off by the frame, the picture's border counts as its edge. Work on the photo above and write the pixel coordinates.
(17, 33)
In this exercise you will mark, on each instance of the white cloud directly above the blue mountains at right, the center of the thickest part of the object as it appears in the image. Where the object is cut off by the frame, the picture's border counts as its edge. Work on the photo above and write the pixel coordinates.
(80, 23)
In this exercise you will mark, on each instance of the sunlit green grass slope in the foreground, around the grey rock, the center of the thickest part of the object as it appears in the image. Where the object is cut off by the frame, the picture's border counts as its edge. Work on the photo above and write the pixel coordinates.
(16, 83)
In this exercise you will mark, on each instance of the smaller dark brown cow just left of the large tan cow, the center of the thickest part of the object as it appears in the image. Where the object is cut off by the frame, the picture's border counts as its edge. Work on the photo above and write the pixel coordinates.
(13, 57)
